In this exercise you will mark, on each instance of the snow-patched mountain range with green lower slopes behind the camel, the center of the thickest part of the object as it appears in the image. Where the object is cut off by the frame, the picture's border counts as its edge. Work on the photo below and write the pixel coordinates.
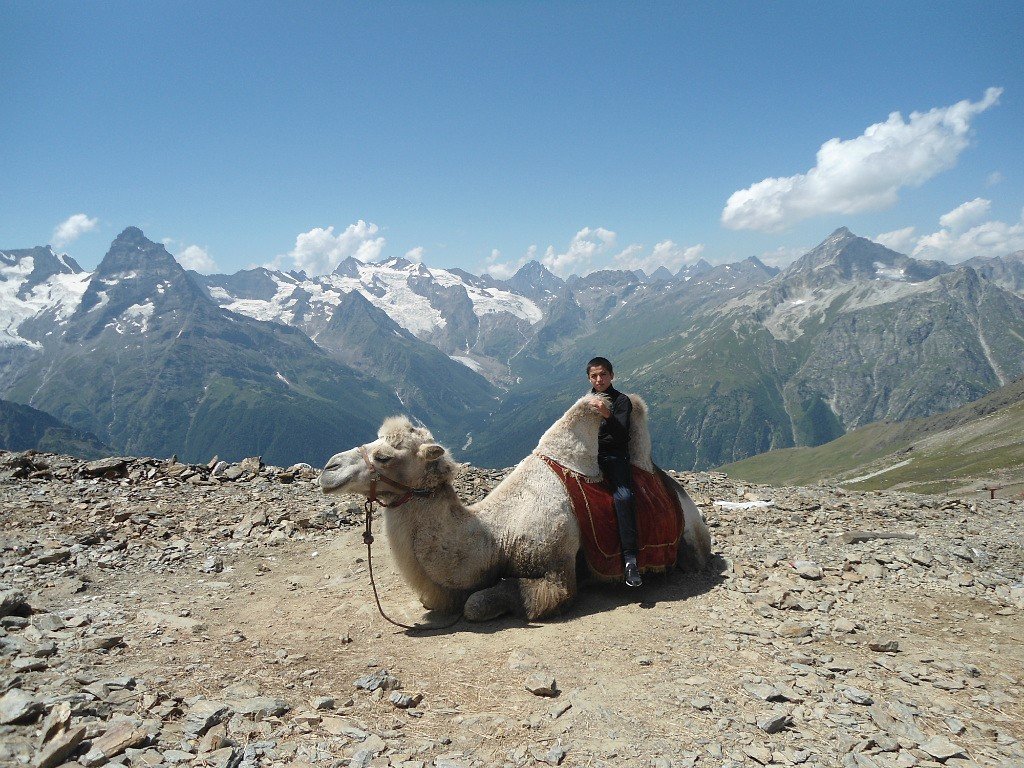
(734, 360)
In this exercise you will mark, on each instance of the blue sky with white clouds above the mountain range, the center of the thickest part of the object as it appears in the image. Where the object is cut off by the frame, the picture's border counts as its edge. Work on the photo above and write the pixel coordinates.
(478, 136)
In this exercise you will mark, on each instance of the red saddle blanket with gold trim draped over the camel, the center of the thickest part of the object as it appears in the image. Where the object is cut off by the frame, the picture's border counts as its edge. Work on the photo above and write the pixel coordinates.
(660, 521)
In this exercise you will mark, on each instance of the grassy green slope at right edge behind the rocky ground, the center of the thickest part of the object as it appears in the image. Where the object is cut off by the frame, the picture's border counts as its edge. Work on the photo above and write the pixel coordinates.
(946, 451)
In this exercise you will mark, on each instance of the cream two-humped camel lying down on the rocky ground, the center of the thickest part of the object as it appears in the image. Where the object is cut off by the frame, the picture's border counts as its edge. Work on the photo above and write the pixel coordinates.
(516, 551)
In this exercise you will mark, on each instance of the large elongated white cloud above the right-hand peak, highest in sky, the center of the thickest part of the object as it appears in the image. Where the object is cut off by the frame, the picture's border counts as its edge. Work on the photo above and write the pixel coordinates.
(862, 175)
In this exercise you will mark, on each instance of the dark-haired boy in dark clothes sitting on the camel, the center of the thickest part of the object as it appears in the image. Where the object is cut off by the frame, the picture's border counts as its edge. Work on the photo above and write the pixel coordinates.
(614, 459)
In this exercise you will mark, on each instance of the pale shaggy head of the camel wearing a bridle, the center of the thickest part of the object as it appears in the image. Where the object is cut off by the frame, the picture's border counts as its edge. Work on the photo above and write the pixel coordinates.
(402, 453)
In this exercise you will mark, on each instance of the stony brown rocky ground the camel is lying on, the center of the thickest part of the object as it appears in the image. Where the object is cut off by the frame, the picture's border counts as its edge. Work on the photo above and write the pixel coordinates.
(157, 614)
